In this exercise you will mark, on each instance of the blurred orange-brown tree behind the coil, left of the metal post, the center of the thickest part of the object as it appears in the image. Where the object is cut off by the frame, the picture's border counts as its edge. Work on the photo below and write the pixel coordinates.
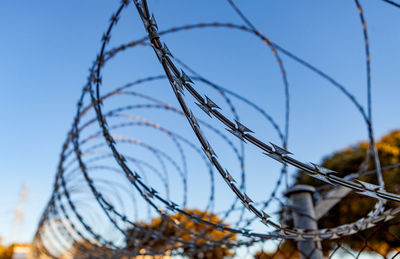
(166, 228)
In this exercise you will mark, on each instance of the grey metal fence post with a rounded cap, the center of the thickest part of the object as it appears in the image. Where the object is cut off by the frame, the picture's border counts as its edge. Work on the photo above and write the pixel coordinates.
(300, 197)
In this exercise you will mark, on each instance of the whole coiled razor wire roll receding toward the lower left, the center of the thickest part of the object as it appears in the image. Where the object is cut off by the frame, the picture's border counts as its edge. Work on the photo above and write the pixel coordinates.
(85, 208)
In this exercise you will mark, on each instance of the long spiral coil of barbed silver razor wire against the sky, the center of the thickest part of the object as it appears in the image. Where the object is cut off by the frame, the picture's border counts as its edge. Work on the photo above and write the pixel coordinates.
(49, 236)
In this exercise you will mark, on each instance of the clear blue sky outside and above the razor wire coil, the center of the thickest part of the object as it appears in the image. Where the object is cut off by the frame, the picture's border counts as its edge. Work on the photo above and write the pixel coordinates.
(48, 46)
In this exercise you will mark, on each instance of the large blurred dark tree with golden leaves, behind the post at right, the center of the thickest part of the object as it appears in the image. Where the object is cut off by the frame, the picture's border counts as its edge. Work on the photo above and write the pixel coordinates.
(355, 206)
